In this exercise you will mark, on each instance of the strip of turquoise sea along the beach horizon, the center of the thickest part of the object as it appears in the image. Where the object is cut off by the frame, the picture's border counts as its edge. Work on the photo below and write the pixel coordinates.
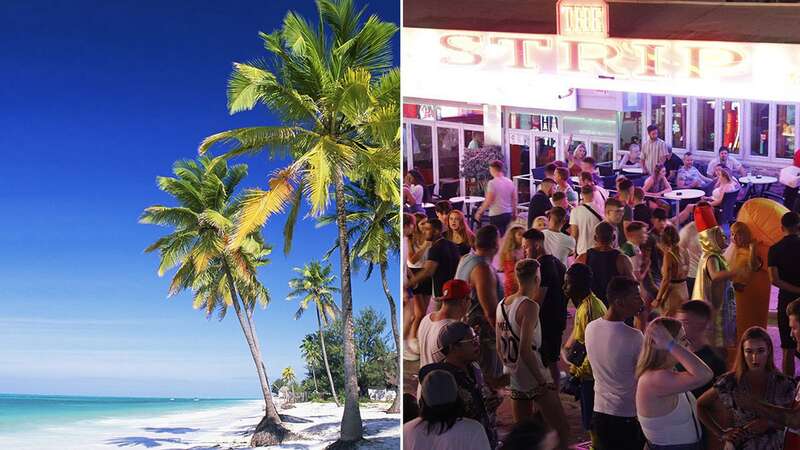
(23, 413)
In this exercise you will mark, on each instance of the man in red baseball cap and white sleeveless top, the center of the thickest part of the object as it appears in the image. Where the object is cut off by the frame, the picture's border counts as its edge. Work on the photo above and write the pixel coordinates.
(455, 301)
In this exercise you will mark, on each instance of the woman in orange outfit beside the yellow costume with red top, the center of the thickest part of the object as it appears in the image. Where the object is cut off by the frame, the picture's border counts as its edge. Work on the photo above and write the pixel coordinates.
(751, 286)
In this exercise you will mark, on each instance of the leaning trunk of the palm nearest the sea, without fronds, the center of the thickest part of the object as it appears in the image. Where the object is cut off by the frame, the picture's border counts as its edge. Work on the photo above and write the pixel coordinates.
(270, 430)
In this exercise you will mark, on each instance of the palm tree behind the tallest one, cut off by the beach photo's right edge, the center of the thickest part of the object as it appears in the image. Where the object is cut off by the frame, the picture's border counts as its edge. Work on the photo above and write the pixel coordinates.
(374, 230)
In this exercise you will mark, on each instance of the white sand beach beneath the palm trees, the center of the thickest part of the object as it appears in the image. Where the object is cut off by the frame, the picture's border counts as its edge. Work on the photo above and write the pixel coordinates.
(222, 428)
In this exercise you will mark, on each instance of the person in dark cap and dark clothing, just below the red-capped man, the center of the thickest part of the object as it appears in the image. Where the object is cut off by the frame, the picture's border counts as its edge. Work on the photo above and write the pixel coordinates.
(459, 347)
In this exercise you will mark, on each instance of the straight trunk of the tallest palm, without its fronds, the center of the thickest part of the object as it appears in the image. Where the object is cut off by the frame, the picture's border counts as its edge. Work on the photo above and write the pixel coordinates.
(352, 429)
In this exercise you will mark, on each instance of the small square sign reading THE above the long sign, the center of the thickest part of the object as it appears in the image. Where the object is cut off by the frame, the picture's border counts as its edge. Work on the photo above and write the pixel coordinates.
(587, 18)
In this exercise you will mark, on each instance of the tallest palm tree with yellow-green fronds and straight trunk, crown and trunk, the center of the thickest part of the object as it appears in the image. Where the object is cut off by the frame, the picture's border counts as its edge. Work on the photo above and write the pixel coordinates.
(334, 88)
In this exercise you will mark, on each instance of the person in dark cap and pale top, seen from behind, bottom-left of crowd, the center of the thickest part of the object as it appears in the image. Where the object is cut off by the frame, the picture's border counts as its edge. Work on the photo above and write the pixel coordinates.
(442, 424)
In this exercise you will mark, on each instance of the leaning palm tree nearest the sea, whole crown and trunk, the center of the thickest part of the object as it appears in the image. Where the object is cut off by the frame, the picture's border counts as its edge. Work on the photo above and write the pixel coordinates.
(219, 275)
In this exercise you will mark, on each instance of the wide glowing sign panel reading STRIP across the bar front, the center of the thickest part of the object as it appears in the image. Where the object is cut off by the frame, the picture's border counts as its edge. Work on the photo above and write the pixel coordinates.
(501, 68)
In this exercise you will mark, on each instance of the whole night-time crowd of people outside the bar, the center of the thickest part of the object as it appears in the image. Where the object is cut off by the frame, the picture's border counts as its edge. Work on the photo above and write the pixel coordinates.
(668, 347)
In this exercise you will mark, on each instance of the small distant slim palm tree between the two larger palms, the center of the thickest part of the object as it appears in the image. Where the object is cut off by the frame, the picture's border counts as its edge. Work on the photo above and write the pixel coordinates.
(315, 284)
